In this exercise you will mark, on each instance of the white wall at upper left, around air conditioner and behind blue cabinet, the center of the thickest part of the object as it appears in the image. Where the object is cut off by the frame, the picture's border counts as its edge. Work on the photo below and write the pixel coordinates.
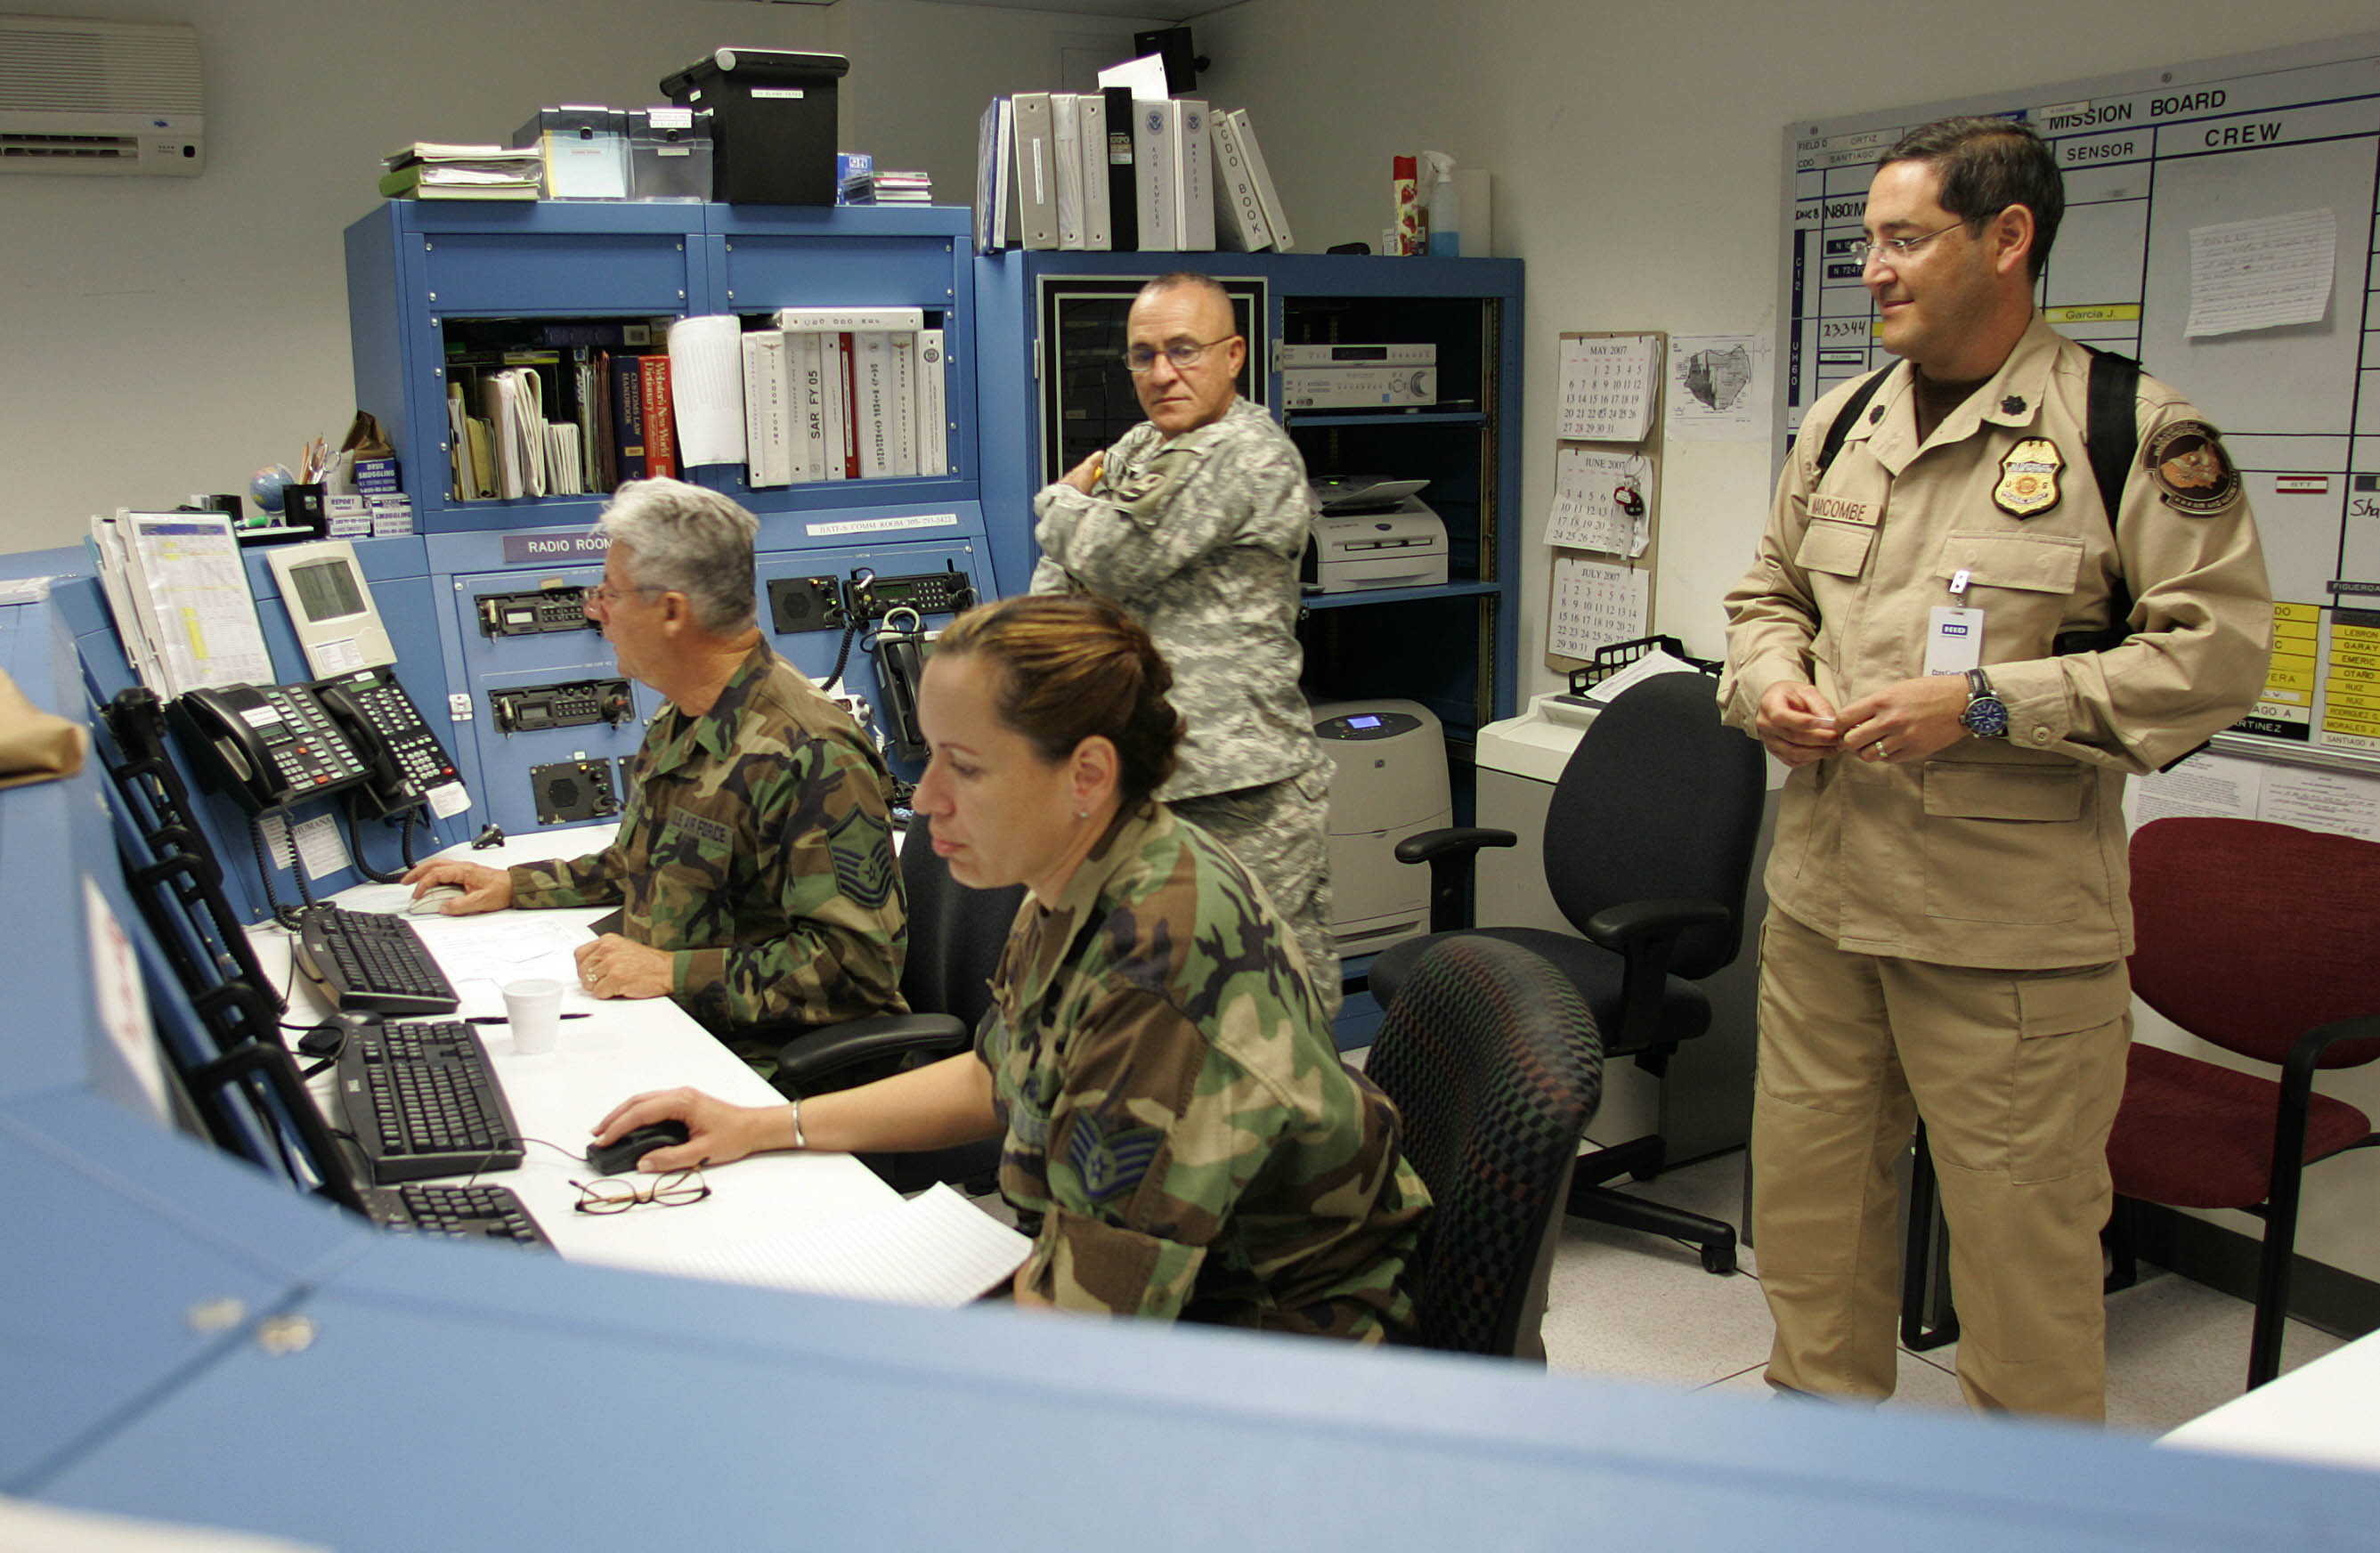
(163, 337)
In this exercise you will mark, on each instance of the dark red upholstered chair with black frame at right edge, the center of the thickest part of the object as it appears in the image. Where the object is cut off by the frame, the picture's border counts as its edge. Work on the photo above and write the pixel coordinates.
(2262, 940)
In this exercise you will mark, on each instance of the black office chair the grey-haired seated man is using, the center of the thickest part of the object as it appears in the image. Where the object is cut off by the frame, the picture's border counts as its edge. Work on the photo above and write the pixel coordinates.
(956, 940)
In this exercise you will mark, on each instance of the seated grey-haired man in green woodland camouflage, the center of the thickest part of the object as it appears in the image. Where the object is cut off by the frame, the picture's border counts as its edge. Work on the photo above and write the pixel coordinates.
(756, 856)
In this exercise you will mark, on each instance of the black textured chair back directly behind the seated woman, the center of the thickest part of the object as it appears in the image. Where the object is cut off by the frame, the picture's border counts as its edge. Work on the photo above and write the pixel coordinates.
(1496, 1066)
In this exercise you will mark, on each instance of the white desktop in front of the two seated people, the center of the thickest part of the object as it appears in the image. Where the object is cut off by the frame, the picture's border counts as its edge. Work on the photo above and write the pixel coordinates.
(620, 1049)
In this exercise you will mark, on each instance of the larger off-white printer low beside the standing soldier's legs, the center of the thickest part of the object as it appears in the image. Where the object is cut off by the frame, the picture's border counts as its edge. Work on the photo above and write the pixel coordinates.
(1389, 782)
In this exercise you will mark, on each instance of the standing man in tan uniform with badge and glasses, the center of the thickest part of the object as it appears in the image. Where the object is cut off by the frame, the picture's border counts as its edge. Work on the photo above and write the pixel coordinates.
(1962, 654)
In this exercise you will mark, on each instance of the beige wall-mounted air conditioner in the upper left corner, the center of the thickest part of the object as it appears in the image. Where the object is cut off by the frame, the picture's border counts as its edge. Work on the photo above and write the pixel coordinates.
(101, 96)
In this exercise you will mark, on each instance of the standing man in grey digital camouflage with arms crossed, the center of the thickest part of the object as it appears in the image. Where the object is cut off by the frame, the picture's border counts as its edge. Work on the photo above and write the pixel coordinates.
(1196, 523)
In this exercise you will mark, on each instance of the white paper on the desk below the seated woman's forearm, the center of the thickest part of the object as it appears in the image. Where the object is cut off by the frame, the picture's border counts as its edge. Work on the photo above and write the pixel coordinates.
(937, 1249)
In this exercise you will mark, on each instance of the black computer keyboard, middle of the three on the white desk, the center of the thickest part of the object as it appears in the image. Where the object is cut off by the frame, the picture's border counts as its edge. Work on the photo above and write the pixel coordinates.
(422, 1102)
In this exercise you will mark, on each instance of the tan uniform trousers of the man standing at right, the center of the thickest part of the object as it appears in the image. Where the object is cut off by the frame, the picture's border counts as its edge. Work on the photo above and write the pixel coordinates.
(2017, 1078)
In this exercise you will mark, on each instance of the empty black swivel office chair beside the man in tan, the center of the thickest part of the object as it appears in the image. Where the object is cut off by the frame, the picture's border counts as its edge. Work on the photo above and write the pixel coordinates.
(1648, 849)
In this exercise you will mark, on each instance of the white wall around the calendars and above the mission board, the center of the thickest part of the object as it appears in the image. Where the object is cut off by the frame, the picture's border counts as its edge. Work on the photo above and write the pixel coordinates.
(1636, 156)
